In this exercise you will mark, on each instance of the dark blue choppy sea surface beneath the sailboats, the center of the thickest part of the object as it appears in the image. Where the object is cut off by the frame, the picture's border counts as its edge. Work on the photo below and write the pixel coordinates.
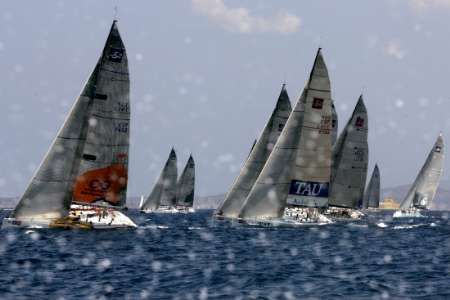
(177, 256)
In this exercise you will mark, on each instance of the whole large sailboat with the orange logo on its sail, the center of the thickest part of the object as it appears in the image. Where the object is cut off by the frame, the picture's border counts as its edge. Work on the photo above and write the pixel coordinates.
(87, 163)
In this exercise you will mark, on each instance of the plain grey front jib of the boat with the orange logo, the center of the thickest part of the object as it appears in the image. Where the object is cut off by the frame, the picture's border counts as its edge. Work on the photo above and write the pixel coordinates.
(48, 195)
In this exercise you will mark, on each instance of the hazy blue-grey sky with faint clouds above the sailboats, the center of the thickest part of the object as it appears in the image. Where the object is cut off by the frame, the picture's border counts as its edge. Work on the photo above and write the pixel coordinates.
(205, 76)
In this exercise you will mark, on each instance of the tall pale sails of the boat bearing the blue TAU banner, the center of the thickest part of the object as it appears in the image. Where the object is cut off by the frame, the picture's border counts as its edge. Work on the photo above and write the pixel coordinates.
(298, 169)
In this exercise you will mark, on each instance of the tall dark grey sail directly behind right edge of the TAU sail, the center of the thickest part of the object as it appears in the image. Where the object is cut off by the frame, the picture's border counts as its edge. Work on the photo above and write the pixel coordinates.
(350, 158)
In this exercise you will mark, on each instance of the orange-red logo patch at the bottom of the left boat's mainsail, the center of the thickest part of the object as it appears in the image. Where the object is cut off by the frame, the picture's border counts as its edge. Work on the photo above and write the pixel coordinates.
(101, 184)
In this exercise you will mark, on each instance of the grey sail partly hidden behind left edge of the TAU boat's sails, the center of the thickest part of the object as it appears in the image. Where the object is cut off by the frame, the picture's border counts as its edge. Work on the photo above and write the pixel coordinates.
(235, 198)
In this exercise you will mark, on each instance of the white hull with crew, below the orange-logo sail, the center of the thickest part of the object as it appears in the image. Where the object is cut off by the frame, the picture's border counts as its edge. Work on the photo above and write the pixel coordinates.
(101, 218)
